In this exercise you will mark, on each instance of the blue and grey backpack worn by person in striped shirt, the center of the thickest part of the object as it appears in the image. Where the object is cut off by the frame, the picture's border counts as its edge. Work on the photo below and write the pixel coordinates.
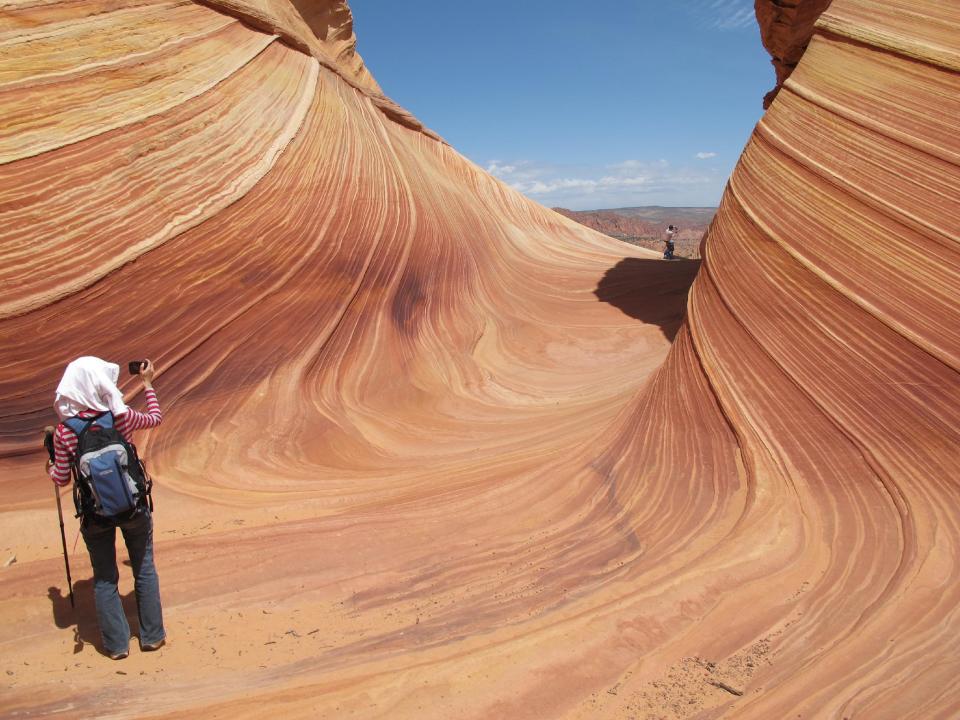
(109, 478)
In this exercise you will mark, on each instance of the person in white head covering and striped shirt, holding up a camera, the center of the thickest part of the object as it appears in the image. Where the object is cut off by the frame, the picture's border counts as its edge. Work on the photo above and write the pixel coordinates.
(91, 407)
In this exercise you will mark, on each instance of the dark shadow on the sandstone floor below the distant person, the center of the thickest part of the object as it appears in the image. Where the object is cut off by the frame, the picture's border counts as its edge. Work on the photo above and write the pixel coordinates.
(651, 290)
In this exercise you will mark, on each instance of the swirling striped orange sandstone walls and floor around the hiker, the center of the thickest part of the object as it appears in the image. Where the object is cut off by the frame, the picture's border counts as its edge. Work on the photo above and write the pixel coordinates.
(432, 450)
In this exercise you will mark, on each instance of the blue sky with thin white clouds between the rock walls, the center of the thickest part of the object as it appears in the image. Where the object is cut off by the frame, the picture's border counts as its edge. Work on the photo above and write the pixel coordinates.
(611, 103)
